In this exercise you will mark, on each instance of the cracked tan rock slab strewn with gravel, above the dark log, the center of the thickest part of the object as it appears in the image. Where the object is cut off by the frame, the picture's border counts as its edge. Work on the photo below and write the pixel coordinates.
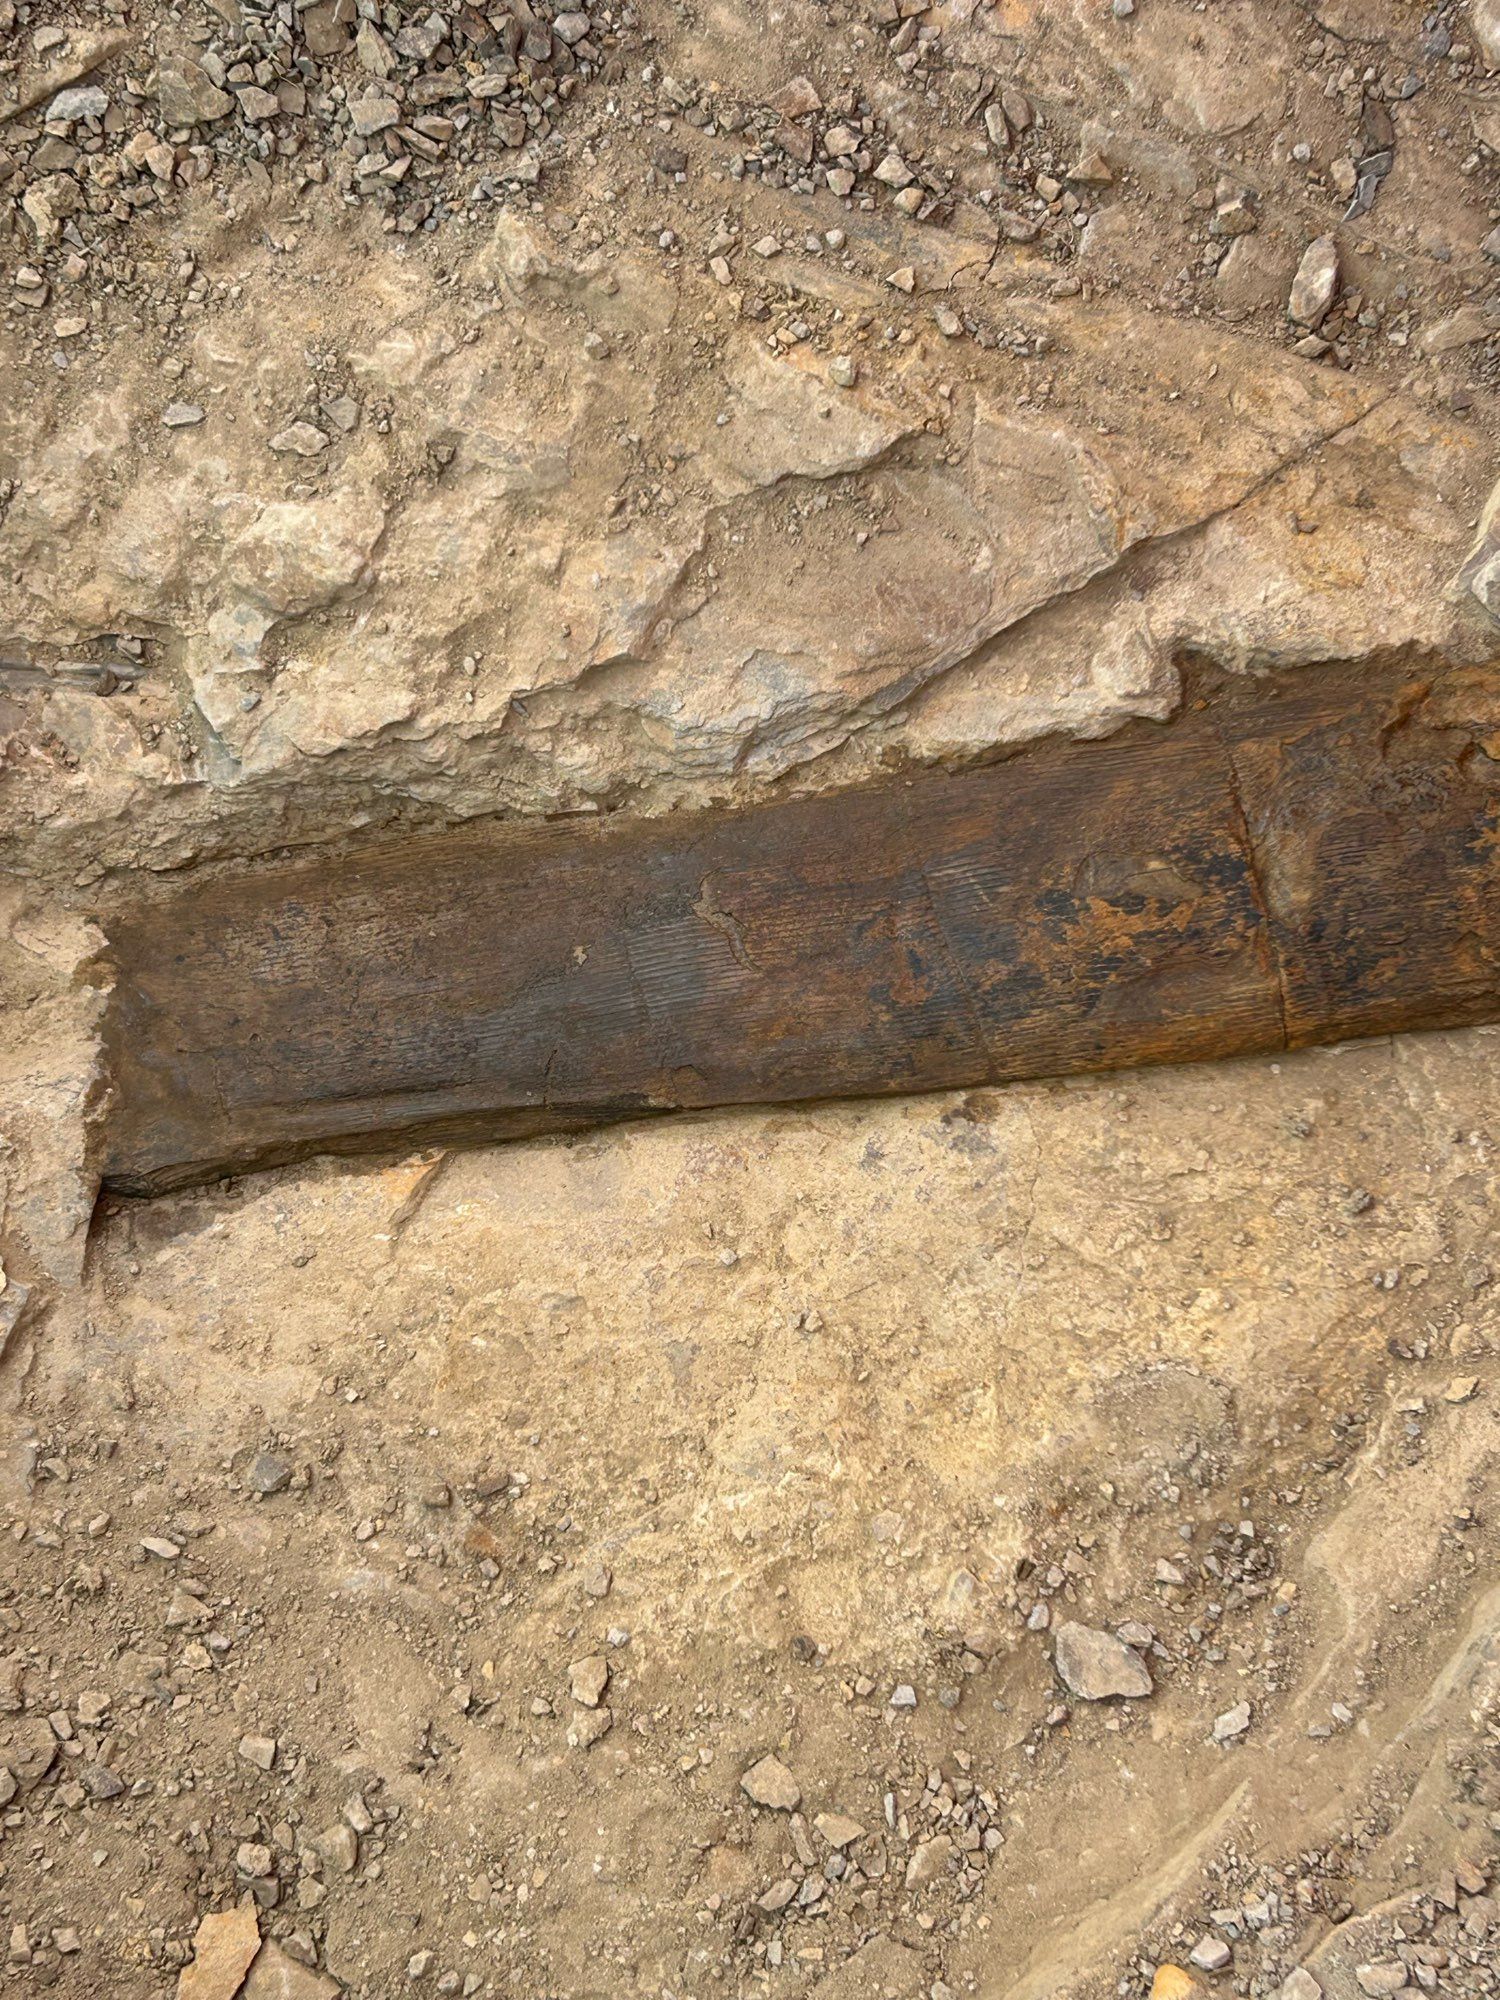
(379, 487)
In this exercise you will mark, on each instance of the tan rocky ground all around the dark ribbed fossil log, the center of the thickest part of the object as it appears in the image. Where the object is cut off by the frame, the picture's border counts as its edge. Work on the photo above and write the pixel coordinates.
(1083, 1497)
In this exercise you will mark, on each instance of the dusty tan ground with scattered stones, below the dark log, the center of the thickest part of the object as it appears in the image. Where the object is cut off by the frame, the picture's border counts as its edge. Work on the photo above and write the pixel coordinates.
(771, 1417)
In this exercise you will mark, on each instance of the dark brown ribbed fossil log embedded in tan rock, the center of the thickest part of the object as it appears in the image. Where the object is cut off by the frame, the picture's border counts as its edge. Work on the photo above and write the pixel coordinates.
(1307, 863)
